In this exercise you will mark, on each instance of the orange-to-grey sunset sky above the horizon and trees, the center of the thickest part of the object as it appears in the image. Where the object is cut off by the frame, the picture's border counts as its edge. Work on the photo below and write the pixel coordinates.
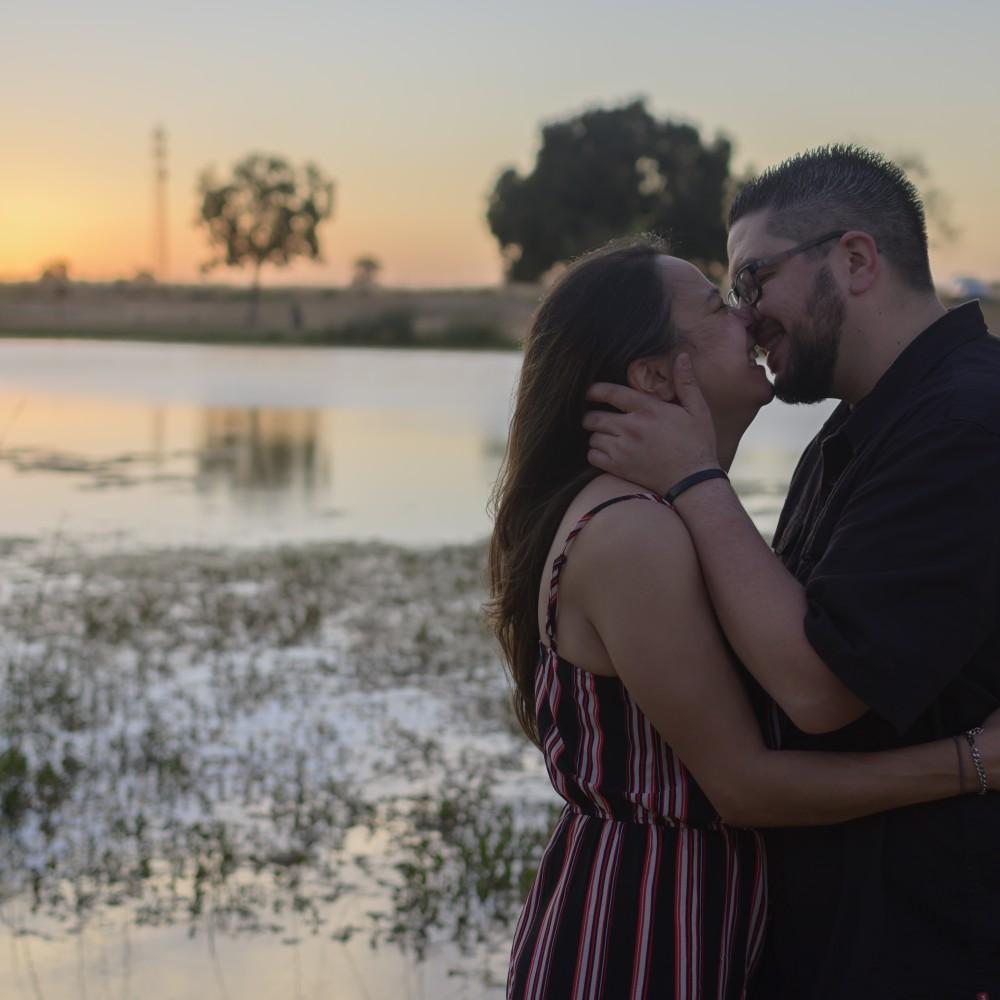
(415, 108)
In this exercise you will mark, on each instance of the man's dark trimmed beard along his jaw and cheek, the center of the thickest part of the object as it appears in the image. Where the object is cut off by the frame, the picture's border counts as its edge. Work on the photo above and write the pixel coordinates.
(813, 345)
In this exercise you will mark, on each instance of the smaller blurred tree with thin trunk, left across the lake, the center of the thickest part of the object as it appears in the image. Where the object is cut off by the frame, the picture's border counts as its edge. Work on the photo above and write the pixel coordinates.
(268, 212)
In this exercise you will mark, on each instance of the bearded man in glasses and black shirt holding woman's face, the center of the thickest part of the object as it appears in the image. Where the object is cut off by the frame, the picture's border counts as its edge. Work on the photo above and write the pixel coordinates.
(880, 624)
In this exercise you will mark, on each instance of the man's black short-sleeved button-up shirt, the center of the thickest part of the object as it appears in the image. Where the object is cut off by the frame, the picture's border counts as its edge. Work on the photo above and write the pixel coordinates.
(892, 524)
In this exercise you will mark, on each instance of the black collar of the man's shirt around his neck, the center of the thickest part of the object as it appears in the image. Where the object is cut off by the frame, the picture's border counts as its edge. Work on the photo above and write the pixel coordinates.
(956, 327)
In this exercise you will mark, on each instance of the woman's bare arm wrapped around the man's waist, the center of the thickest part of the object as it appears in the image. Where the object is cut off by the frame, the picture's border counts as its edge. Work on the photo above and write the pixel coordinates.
(641, 587)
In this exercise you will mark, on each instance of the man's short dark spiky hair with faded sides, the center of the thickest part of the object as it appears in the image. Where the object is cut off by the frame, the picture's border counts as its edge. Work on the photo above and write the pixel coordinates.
(844, 187)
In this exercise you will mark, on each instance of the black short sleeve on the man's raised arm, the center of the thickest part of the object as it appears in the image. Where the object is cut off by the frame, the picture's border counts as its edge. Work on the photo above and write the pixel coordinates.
(908, 587)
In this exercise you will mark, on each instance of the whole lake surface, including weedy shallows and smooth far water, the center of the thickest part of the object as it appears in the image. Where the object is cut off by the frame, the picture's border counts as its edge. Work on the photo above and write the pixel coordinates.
(196, 688)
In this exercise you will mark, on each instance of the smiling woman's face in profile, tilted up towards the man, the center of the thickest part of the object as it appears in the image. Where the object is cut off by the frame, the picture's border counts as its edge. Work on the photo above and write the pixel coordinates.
(717, 340)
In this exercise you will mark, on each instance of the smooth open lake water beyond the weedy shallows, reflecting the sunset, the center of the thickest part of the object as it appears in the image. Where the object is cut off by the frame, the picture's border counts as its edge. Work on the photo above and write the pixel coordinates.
(139, 445)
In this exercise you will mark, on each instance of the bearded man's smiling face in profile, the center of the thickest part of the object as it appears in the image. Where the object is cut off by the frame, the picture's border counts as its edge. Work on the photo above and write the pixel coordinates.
(799, 316)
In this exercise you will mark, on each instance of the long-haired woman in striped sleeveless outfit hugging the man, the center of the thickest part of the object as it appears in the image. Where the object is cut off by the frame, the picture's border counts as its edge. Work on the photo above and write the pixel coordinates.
(651, 885)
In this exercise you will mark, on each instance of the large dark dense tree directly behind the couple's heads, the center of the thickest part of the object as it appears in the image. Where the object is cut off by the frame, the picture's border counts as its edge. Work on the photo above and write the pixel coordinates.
(606, 173)
